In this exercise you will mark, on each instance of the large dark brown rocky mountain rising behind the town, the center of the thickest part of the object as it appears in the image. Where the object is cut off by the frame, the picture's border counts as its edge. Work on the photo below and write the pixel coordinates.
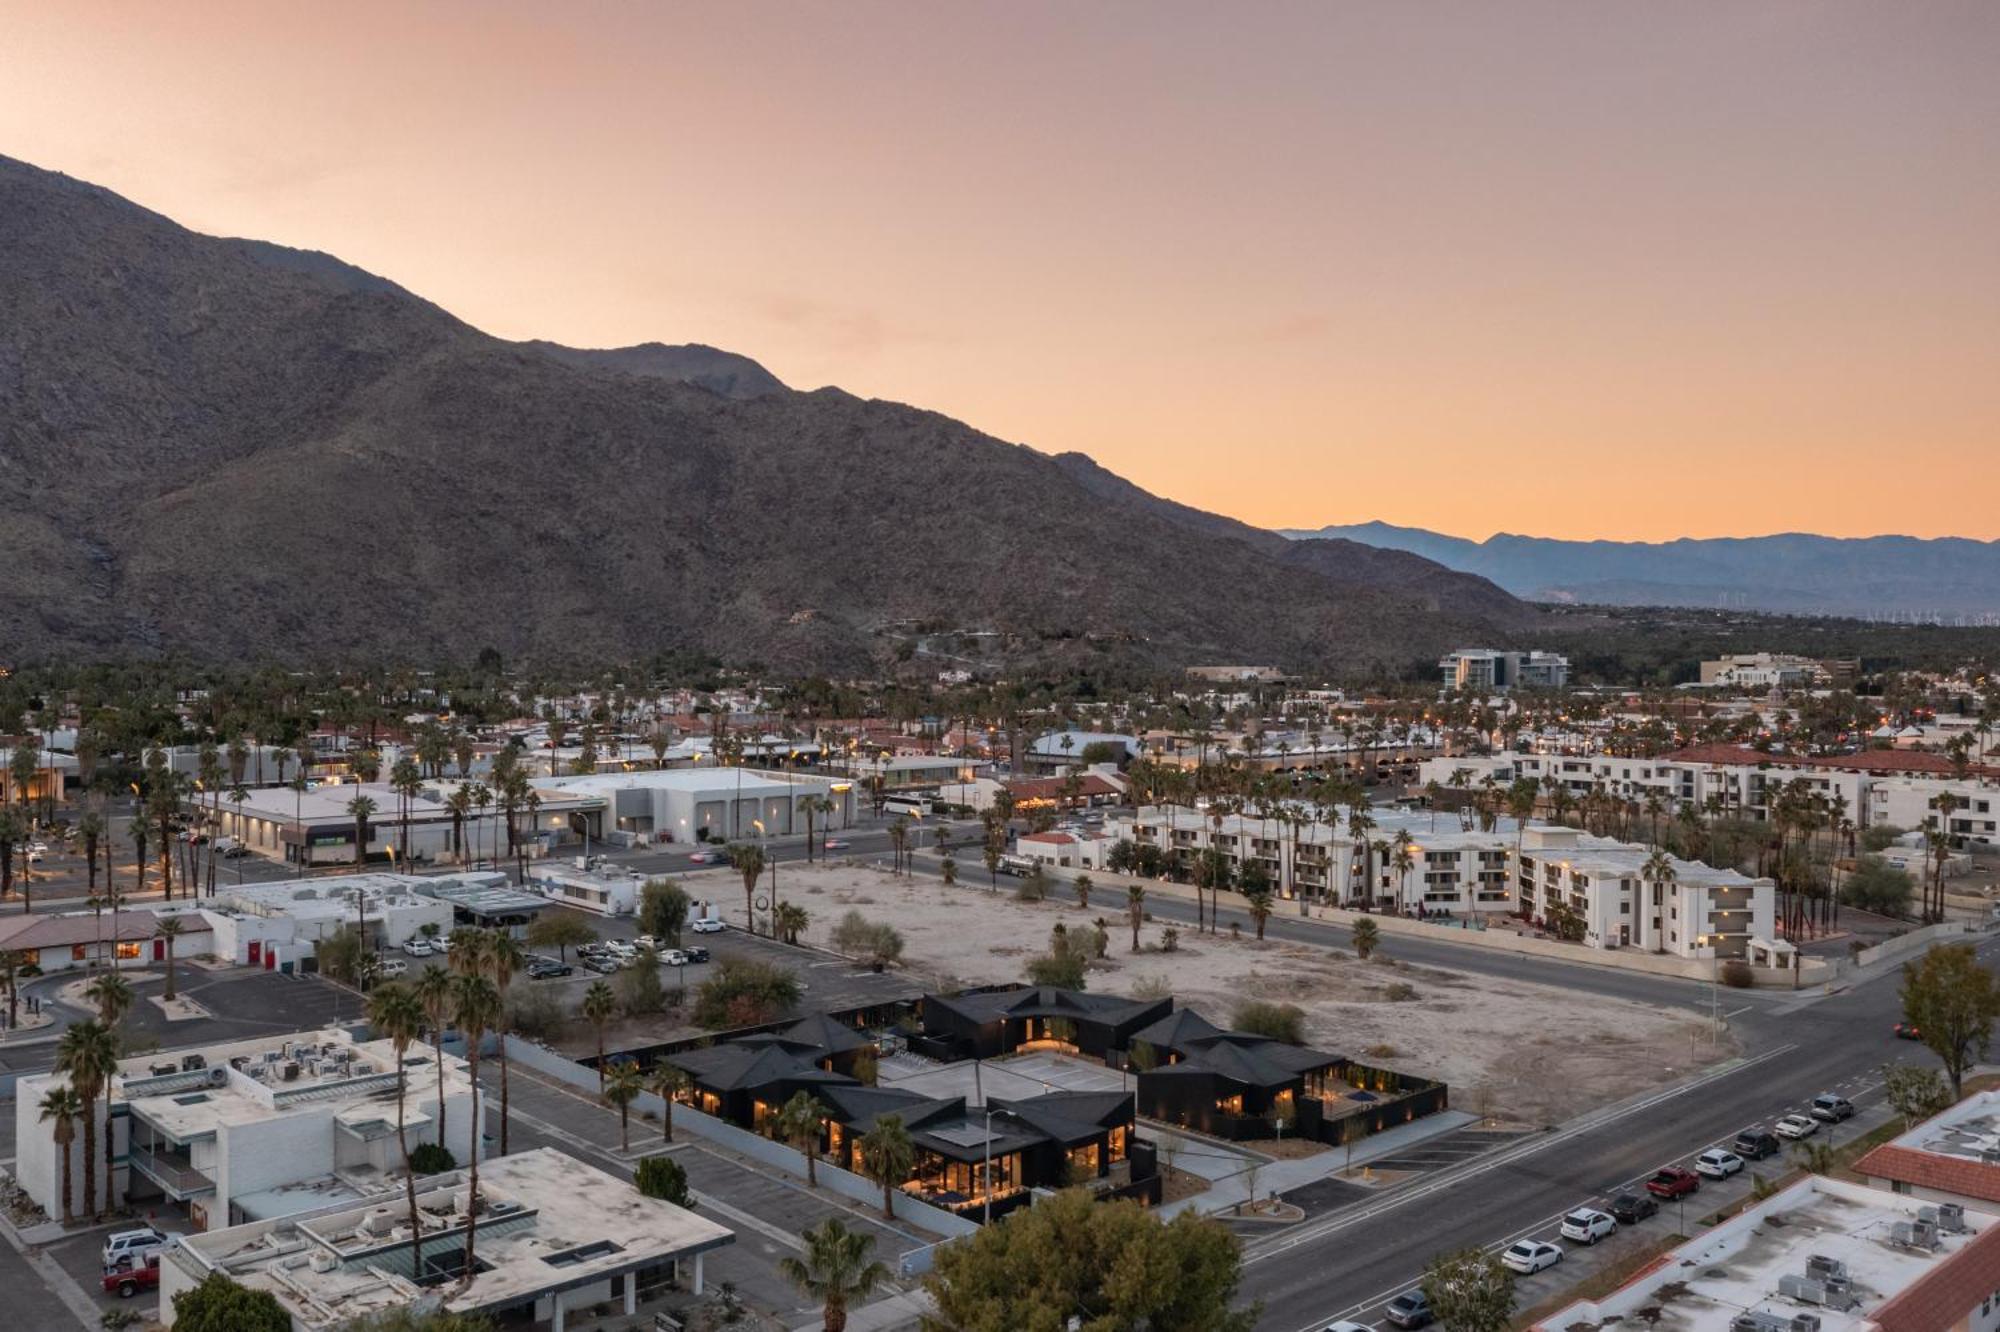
(237, 451)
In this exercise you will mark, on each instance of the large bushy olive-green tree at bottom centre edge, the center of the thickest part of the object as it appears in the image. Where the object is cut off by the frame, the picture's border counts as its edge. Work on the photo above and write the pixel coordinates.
(1113, 1265)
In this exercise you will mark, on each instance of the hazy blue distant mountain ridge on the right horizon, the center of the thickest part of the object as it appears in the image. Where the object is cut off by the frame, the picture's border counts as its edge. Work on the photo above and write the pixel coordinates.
(1795, 573)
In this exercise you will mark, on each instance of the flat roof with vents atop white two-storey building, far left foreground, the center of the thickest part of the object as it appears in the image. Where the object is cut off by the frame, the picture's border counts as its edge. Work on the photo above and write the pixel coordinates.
(193, 1093)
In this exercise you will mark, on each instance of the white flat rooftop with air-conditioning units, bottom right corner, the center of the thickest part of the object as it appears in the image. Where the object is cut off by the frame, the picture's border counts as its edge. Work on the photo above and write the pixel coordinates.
(1739, 1267)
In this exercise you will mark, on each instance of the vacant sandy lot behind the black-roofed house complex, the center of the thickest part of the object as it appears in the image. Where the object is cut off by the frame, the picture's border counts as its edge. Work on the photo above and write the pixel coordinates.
(1529, 1053)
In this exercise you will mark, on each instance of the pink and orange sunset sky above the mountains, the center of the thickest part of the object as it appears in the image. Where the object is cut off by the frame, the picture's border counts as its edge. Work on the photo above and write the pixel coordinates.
(1629, 271)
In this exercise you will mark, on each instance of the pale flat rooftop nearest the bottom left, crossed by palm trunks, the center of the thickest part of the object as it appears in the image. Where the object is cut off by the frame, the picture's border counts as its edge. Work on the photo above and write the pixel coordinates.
(547, 1223)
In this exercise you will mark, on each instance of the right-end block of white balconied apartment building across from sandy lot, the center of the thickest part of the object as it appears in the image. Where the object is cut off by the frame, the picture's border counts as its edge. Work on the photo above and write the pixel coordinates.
(1701, 913)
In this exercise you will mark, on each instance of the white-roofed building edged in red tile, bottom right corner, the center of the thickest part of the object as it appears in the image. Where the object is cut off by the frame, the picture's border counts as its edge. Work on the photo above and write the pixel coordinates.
(1823, 1257)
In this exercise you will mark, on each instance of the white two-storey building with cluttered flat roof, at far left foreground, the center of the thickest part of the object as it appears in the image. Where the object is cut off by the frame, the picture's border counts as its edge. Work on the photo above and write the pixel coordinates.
(253, 1129)
